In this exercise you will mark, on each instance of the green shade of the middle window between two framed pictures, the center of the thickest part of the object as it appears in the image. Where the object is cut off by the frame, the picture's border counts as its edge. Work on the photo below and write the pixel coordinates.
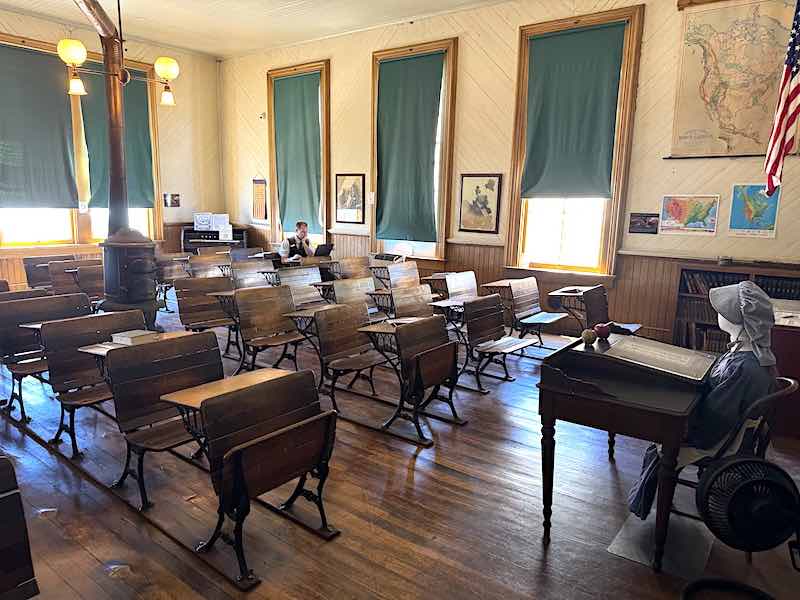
(409, 90)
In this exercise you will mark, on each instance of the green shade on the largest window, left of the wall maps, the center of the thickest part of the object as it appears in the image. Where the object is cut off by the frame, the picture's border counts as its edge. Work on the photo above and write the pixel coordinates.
(573, 83)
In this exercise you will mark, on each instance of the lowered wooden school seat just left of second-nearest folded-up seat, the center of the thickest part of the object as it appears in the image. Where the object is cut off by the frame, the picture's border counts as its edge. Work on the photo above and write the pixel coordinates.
(343, 349)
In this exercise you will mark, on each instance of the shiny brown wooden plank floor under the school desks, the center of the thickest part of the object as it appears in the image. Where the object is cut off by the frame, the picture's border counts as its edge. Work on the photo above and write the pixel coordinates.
(459, 520)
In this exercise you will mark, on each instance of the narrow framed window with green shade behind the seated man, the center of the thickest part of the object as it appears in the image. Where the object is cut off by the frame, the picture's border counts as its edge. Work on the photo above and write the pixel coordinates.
(299, 133)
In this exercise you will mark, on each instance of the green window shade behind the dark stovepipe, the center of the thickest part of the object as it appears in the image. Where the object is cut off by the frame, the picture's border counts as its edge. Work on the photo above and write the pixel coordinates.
(138, 145)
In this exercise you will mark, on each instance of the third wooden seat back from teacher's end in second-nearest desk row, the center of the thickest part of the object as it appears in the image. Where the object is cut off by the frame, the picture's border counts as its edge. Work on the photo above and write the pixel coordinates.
(261, 311)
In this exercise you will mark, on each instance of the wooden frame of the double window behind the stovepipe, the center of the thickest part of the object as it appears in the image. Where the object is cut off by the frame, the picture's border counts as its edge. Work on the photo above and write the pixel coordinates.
(81, 225)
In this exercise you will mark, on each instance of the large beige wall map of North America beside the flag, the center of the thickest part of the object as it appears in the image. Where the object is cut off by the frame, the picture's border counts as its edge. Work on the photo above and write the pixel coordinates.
(731, 62)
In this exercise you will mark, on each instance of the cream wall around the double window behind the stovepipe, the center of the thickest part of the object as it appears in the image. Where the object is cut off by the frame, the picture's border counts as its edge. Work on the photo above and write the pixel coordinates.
(188, 132)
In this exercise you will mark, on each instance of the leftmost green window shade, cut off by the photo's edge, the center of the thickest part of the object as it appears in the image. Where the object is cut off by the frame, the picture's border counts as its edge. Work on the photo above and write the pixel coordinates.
(37, 168)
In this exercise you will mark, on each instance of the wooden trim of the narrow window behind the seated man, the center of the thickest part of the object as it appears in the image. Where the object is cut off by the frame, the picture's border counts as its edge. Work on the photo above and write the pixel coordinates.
(323, 67)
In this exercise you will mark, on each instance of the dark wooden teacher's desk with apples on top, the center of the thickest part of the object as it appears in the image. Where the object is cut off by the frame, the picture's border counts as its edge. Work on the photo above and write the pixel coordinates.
(586, 386)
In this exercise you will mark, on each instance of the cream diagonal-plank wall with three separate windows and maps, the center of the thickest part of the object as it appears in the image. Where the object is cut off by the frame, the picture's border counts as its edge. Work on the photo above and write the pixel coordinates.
(485, 114)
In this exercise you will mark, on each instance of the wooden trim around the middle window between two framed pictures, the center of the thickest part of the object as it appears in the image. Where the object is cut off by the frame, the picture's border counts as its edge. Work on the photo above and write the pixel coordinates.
(450, 48)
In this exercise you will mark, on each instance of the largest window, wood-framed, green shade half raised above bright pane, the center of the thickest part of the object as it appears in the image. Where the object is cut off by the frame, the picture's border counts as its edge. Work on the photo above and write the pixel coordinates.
(569, 178)
